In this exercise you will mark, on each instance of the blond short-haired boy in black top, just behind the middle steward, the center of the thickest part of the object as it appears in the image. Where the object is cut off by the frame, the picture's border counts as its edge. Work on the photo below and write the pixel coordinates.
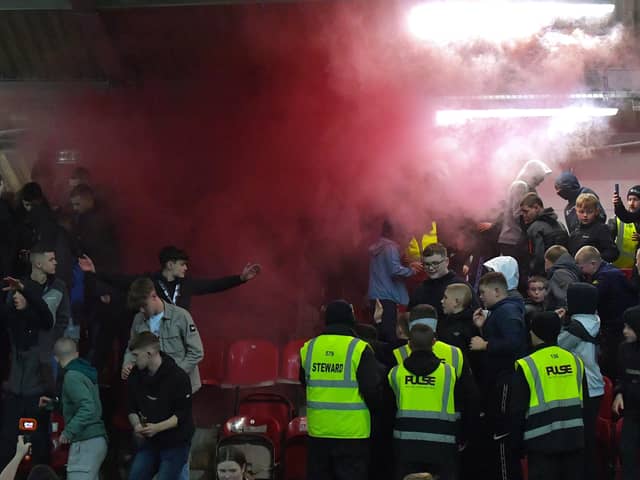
(456, 328)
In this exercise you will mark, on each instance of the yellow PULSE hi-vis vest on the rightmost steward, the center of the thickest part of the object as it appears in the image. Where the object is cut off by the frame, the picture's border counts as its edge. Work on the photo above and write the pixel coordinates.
(554, 376)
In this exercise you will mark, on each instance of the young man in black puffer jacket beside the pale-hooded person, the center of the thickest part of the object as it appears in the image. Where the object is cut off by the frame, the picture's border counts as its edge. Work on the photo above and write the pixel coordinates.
(543, 231)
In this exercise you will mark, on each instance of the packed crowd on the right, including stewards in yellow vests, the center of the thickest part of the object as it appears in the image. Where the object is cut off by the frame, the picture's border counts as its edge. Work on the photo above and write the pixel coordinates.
(504, 356)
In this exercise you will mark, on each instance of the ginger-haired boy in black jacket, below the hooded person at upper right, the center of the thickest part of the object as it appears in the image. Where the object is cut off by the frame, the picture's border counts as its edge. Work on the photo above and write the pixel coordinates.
(591, 231)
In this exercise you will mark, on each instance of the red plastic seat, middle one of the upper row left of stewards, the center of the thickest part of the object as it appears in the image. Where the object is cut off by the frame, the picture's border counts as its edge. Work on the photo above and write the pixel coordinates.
(251, 363)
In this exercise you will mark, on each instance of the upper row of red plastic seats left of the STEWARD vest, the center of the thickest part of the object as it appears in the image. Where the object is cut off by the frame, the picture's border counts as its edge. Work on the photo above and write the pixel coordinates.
(250, 363)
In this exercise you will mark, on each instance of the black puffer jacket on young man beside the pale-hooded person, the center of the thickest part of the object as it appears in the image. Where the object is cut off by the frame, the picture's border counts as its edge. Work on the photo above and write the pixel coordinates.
(544, 232)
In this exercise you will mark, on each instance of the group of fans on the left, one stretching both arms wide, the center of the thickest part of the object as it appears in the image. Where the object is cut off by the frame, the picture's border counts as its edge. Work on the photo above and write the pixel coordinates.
(66, 317)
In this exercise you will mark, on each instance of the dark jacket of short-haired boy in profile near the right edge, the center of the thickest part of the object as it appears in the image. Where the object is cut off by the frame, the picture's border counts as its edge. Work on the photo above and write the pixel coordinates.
(615, 295)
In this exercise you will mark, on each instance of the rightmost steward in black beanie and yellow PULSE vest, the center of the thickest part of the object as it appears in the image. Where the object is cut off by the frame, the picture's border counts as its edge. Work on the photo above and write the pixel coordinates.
(546, 405)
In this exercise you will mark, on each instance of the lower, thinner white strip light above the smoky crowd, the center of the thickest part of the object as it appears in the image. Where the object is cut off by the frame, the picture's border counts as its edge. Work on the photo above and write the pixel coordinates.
(459, 117)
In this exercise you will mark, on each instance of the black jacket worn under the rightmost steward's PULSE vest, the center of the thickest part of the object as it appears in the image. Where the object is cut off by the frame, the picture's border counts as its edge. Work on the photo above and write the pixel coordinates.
(566, 441)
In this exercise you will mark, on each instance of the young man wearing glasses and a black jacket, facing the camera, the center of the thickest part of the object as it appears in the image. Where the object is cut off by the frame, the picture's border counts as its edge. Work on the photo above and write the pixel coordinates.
(435, 261)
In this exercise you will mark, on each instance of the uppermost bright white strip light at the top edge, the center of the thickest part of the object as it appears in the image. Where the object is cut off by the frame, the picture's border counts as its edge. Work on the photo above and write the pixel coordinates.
(456, 21)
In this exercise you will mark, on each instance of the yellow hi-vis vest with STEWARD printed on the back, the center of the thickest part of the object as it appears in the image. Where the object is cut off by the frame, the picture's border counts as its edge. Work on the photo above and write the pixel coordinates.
(335, 408)
